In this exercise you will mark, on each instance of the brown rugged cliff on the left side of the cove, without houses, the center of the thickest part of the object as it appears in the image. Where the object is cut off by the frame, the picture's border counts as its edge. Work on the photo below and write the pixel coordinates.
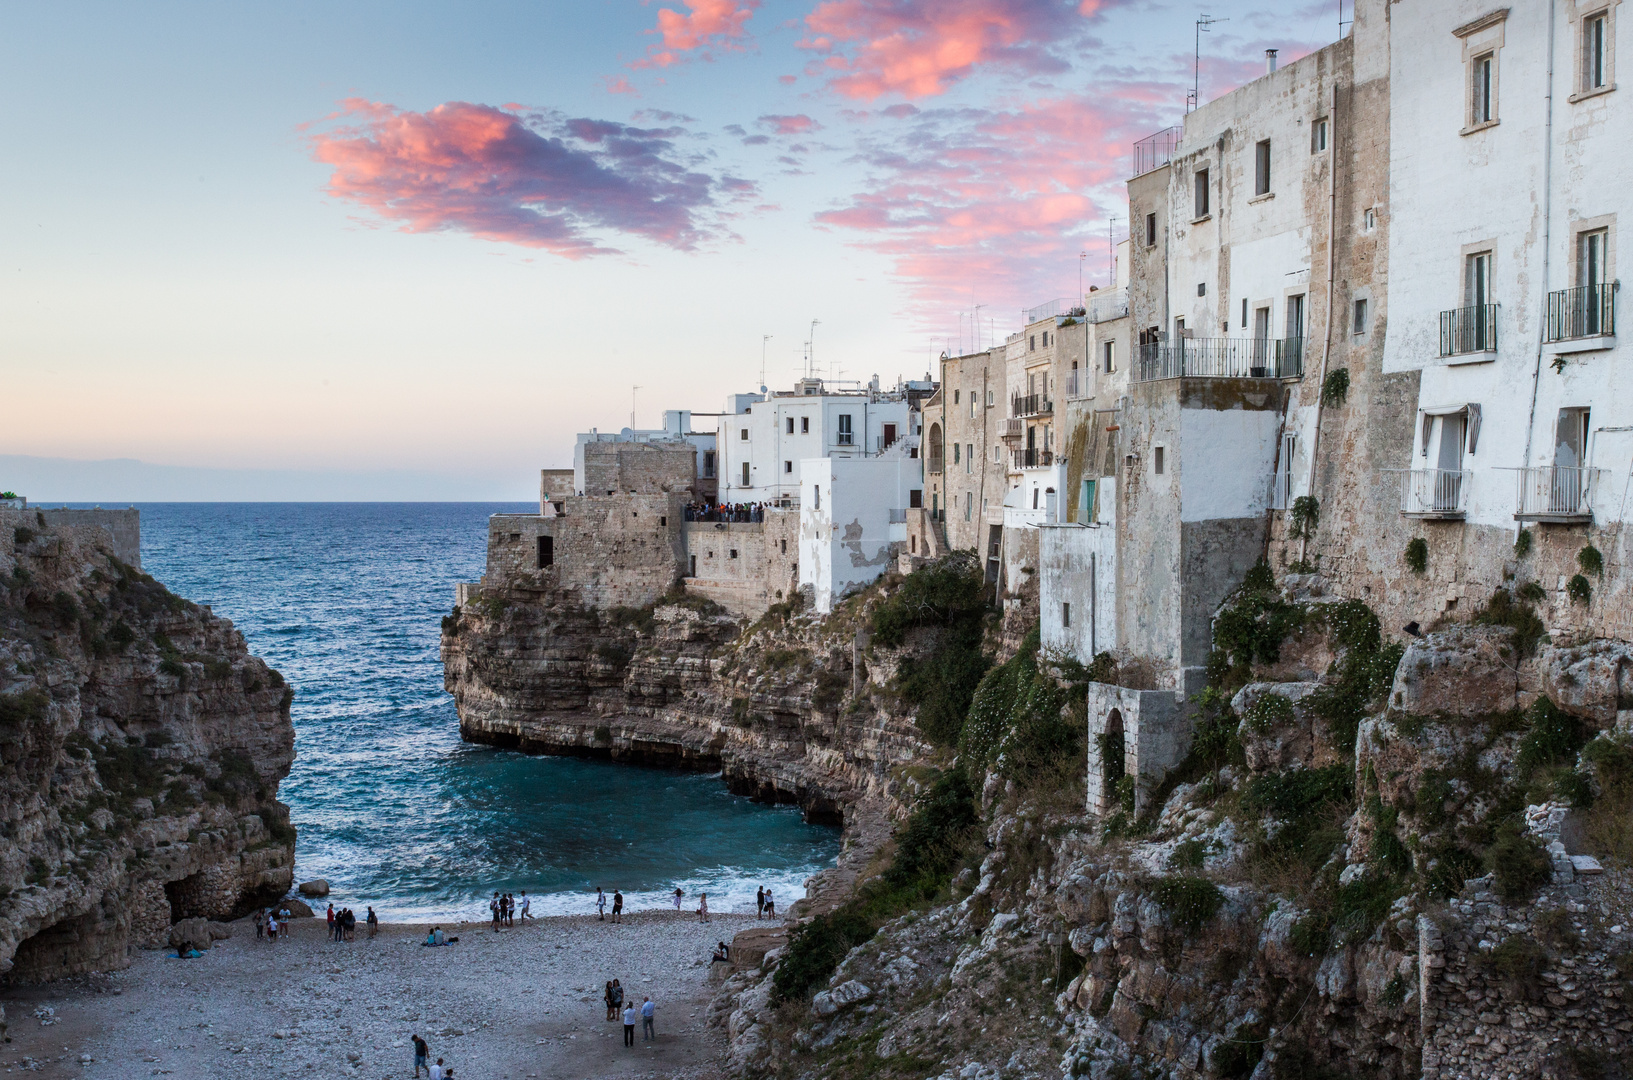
(143, 751)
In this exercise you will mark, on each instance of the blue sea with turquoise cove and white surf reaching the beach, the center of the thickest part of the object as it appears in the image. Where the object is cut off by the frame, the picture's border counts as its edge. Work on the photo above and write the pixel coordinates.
(391, 808)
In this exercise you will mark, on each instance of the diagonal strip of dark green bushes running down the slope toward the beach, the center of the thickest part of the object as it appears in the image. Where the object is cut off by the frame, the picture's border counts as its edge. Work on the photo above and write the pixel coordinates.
(937, 839)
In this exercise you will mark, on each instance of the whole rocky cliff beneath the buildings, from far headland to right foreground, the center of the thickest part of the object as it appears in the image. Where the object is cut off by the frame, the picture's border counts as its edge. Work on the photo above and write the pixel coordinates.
(1377, 859)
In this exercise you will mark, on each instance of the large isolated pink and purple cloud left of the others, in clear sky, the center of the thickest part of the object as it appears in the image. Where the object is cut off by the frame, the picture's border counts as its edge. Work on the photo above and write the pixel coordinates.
(536, 181)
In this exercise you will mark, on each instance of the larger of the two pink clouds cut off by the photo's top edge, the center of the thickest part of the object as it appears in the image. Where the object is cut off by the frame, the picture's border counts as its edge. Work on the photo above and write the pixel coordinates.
(920, 48)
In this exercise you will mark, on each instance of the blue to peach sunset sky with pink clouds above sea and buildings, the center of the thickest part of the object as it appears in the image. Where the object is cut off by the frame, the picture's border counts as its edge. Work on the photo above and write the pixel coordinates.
(388, 251)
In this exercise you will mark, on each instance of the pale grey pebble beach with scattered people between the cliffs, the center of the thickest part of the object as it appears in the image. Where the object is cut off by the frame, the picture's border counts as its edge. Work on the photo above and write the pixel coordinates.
(515, 1006)
